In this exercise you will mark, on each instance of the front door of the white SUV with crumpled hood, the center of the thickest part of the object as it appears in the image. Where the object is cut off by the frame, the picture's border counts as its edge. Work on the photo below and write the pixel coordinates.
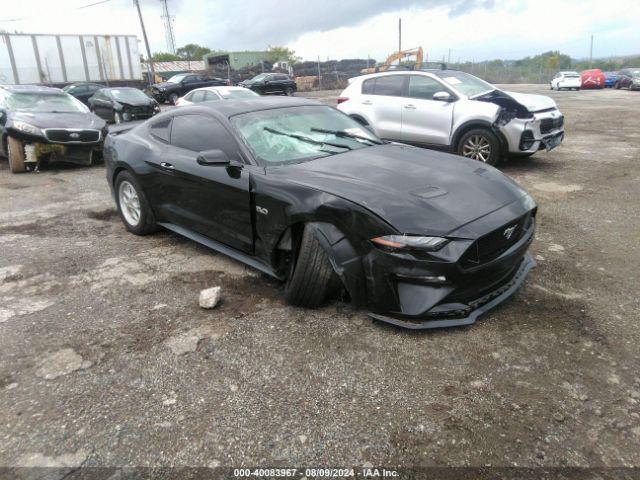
(425, 120)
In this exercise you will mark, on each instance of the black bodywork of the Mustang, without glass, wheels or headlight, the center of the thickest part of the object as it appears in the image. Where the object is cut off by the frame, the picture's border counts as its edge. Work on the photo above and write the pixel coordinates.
(348, 199)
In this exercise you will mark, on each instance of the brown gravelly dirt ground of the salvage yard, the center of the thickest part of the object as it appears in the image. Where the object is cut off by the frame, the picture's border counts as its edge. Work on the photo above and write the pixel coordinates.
(106, 358)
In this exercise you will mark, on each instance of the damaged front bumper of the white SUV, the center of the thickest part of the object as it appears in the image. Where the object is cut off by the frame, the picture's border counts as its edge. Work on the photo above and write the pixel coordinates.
(525, 136)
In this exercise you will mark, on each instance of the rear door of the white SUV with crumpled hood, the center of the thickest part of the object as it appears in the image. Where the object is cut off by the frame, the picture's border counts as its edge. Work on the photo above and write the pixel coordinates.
(381, 103)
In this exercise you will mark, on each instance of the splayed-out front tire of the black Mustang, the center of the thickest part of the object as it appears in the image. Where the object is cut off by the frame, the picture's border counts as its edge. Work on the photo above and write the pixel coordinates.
(312, 277)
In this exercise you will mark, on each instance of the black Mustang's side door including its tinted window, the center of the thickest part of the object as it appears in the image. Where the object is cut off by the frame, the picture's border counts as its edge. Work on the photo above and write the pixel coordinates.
(211, 200)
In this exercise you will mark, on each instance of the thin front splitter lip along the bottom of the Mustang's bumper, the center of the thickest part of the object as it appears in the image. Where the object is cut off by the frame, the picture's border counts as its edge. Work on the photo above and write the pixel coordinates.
(527, 264)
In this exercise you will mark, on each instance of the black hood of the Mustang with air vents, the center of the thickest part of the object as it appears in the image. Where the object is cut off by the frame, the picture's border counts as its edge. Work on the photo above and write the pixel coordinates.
(414, 190)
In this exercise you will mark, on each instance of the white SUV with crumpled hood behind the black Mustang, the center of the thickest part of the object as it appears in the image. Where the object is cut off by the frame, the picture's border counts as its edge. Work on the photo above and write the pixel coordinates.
(453, 110)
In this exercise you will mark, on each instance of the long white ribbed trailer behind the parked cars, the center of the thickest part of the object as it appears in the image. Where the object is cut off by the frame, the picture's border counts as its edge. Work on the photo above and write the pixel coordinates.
(57, 59)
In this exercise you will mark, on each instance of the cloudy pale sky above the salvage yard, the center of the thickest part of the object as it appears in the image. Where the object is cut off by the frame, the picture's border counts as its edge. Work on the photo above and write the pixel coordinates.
(466, 30)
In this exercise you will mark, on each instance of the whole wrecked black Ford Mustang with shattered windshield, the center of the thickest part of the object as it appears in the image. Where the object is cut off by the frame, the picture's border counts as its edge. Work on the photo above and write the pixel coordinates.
(302, 192)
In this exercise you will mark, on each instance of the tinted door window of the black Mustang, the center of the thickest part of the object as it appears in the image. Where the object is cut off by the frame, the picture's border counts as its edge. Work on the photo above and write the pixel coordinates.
(199, 133)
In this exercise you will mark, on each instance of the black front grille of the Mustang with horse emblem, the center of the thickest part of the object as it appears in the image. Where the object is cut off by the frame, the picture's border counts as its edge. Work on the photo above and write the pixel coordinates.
(495, 243)
